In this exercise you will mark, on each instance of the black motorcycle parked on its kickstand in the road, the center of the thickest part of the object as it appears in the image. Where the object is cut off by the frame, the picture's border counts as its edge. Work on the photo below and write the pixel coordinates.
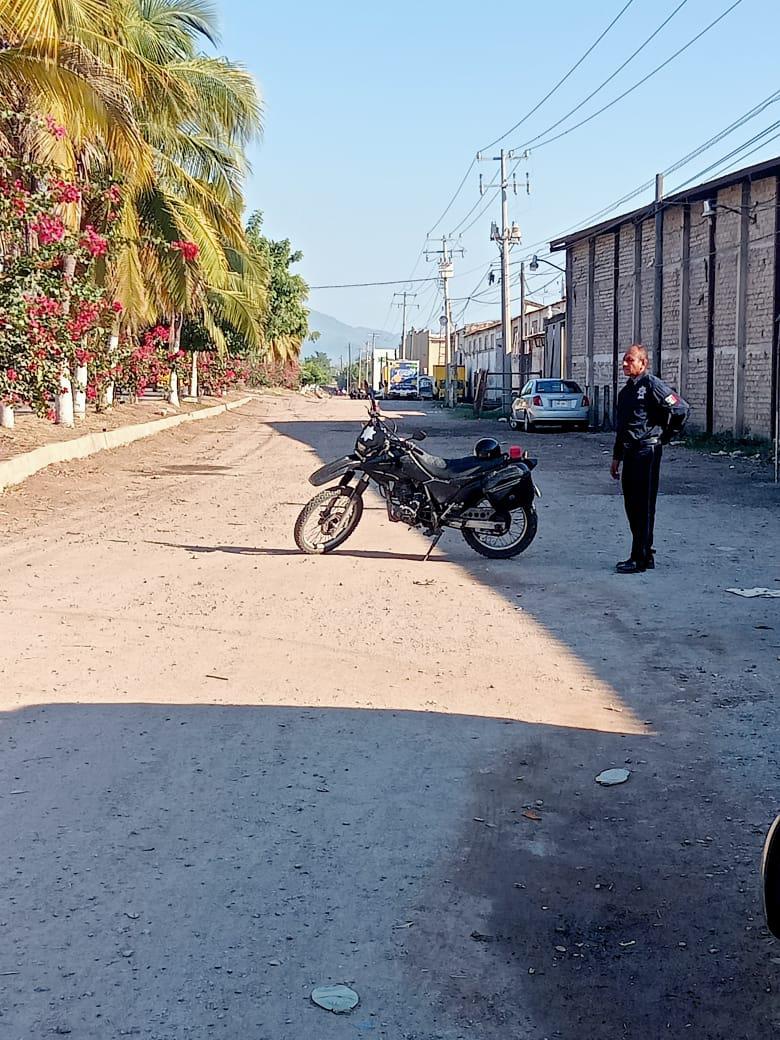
(489, 497)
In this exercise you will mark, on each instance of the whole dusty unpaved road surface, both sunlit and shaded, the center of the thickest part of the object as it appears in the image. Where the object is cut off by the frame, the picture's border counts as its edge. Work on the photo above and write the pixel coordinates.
(230, 773)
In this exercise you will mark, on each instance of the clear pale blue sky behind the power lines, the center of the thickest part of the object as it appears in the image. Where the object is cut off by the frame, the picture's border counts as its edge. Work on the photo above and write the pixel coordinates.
(374, 114)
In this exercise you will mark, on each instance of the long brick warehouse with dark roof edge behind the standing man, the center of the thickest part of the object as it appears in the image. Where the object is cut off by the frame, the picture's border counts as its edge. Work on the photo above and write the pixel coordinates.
(696, 278)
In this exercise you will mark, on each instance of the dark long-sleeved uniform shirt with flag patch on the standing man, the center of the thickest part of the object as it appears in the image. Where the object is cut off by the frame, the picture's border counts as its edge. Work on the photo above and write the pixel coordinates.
(648, 410)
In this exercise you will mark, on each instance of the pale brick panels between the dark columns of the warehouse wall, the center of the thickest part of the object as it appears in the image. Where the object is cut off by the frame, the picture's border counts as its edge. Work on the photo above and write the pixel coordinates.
(756, 405)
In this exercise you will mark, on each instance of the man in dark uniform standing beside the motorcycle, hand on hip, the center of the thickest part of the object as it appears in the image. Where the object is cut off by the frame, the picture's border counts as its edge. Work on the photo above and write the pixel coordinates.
(649, 414)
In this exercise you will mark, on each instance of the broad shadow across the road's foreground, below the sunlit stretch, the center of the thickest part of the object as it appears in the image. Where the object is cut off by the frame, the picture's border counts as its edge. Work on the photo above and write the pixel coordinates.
(209, 865)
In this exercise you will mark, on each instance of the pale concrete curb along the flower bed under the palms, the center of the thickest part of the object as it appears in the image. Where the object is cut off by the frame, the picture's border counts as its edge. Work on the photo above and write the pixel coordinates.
(16, 471)
